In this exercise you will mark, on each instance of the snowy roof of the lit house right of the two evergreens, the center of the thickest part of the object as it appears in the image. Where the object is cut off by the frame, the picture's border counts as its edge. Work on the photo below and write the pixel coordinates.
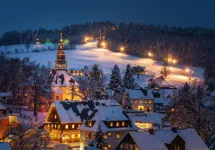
(139, 94)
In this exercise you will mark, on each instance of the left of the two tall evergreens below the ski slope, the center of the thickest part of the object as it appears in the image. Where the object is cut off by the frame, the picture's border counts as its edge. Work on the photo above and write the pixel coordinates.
(115, 80)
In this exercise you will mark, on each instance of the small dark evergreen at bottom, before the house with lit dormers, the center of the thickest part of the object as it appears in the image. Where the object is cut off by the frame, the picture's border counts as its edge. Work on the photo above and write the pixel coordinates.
(100, 138)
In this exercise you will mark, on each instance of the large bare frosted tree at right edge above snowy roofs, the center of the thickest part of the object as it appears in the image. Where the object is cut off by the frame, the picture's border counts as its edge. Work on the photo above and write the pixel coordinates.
(189, 110)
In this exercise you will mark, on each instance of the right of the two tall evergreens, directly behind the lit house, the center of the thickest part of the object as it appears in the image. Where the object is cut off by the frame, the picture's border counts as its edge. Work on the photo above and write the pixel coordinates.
(128, 80)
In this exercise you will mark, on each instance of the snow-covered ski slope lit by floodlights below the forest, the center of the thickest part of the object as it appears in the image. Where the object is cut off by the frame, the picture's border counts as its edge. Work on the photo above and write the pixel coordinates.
(89, 54)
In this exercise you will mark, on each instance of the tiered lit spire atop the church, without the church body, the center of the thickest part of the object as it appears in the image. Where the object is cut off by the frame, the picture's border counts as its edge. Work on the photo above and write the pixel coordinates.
(61, 62)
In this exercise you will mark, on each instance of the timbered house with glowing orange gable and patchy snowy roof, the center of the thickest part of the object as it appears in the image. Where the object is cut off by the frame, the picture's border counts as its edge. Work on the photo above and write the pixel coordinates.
(64, 118)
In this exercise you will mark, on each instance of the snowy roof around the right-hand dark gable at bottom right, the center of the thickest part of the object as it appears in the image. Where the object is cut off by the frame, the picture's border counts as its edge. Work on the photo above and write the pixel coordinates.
(192, 139)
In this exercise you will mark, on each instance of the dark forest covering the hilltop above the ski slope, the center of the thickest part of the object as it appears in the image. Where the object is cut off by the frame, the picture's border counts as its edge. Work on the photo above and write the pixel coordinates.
(191, 46)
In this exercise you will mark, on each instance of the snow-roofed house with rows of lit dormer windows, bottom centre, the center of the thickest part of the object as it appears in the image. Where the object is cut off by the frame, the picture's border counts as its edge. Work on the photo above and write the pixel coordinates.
(113, 121)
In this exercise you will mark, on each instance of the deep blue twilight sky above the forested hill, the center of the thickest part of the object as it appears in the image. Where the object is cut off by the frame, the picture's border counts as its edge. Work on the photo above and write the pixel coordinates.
(32, 14)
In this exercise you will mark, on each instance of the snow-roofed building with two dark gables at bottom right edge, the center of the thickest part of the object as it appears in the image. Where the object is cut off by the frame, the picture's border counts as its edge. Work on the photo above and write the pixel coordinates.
(186, 139)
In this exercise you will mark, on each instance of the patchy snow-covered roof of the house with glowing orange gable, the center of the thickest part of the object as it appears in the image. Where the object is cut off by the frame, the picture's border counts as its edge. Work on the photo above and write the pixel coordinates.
(78, 111)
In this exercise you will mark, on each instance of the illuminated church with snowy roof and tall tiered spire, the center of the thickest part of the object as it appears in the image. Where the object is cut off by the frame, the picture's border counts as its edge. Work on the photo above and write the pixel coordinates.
(64, 86)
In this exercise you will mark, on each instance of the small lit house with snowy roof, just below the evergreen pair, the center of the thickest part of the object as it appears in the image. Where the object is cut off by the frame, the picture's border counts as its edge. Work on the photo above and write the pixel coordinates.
(141, 99)
